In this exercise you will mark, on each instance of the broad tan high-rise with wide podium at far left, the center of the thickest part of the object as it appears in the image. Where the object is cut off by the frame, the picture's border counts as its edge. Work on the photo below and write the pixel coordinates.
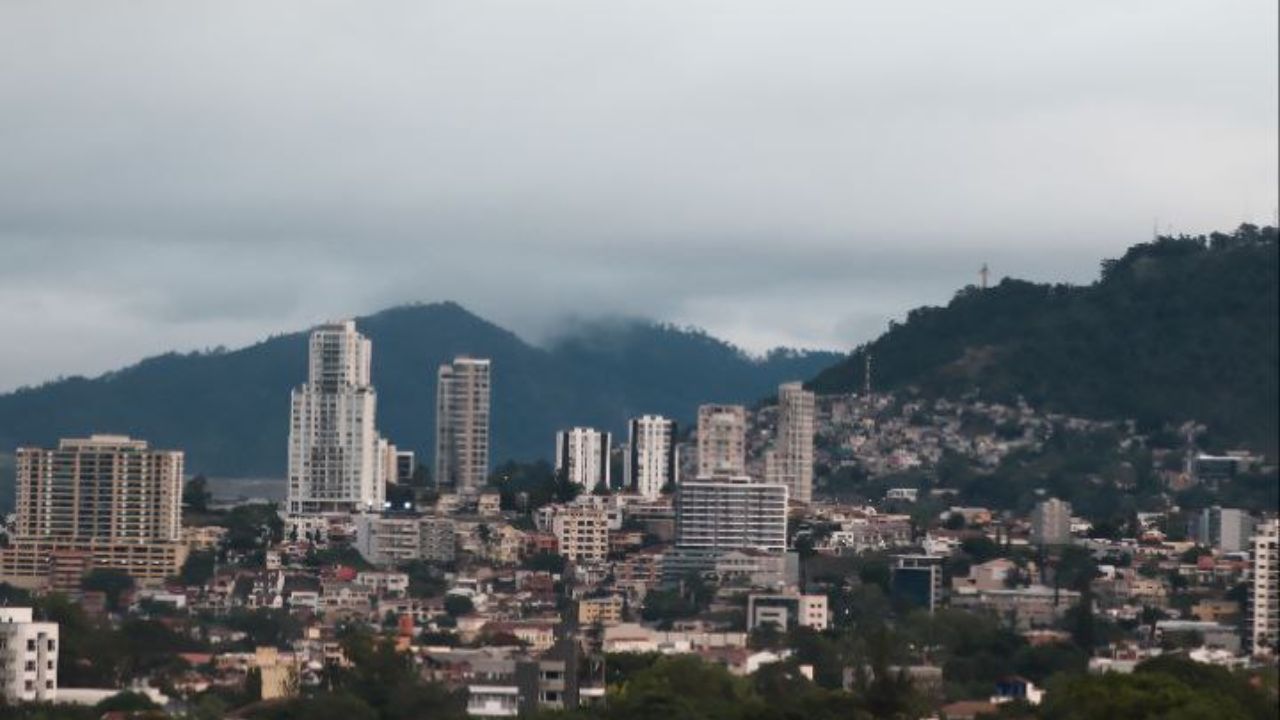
(107, 502)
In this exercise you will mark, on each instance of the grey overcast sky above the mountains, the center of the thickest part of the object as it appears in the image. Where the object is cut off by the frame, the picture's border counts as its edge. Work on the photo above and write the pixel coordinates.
(182, 175)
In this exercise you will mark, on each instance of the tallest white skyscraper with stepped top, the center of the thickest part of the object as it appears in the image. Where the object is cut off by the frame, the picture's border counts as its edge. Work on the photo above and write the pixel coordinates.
(337, 462)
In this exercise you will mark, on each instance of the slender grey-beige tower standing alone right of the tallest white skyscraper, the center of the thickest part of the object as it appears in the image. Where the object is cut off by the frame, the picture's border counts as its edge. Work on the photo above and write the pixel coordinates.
(463, 425)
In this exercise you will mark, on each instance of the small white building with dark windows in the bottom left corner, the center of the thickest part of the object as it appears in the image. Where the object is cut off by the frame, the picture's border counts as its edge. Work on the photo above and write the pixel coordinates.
(29, 658)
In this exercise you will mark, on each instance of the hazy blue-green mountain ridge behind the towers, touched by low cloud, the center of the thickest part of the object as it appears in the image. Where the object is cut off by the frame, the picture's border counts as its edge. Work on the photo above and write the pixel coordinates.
(230, 411)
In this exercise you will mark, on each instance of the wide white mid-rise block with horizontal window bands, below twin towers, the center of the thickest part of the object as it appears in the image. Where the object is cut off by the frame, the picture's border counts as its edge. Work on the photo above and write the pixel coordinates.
(732, 513)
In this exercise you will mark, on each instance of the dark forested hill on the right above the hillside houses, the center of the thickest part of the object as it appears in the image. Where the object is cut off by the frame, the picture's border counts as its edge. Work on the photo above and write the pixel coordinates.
(1180, 329)
